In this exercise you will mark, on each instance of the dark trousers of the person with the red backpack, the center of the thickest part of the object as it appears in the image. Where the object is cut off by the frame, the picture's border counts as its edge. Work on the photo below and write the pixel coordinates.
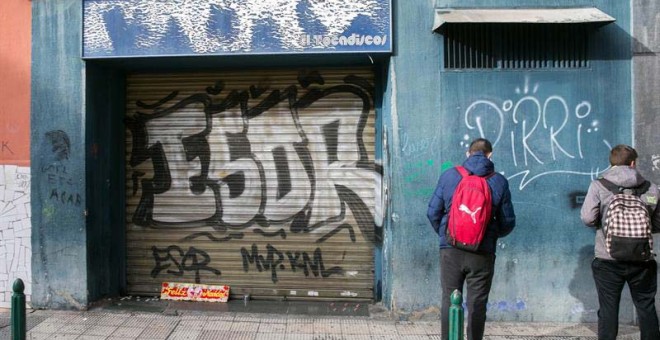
(475, 269)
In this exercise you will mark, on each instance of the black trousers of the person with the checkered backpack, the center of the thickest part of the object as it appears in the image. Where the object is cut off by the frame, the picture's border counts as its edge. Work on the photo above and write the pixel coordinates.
(610, 277)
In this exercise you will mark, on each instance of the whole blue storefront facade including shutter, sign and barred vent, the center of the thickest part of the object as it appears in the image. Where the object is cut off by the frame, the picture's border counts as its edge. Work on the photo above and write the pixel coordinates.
(289, 149)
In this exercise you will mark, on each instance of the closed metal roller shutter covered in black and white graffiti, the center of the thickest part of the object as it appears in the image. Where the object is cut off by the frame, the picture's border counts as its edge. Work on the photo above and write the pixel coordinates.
(261, 180)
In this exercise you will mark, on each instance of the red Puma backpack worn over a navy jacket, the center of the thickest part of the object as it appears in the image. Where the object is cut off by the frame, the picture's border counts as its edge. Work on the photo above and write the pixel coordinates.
(470, 211)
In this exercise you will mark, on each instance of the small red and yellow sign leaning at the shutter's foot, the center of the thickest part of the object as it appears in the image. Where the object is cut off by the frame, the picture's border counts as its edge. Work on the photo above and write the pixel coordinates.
(194, 292)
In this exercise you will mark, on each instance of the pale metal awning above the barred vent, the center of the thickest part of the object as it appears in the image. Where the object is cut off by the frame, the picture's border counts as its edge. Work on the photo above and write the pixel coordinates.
(521, 15)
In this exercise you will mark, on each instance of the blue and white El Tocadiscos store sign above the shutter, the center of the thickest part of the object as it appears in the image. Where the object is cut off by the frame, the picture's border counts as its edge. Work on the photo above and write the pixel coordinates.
(124, 28)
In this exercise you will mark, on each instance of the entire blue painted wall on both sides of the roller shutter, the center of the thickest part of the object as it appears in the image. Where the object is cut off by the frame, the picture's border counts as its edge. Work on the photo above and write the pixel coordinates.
(543, 268)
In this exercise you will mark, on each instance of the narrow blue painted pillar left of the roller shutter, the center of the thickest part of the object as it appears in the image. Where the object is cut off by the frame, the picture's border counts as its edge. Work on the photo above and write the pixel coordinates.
(59, 260)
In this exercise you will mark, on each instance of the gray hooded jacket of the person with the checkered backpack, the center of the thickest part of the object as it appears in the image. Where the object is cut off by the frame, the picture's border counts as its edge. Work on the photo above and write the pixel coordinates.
(598, 197)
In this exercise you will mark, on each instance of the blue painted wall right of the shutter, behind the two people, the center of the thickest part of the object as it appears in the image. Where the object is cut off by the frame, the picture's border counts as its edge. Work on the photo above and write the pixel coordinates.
(552, 130)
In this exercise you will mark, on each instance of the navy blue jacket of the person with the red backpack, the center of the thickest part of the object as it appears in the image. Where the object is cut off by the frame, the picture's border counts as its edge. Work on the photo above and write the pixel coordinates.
(504, 218)
